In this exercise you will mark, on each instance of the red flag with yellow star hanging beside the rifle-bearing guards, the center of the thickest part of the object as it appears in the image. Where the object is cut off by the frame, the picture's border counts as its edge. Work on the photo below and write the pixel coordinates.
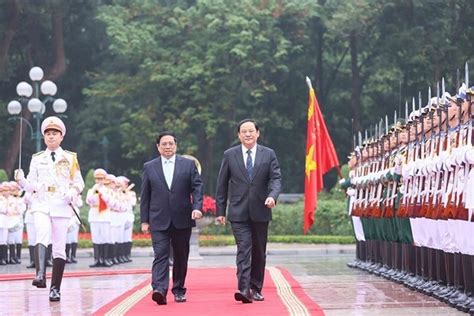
(320, 158)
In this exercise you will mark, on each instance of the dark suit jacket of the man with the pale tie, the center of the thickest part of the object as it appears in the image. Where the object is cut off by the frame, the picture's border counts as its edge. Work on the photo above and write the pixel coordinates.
(159, 205)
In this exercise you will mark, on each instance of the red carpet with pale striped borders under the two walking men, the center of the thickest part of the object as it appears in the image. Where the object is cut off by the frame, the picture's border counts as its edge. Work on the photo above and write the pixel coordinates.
(211, 292)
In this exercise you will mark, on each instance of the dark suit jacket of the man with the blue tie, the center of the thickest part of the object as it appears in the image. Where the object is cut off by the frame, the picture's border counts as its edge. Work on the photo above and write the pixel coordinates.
(247, 196)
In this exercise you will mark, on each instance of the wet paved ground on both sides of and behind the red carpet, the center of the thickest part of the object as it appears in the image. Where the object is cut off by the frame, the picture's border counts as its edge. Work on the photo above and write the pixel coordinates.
(320, 269)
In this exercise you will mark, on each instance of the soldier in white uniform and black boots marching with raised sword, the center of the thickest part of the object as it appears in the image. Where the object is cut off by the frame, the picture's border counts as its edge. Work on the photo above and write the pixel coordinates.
(55, 180)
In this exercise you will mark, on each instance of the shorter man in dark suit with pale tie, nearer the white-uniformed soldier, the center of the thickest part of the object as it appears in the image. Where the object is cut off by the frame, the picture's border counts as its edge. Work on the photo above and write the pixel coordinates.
(171, 199)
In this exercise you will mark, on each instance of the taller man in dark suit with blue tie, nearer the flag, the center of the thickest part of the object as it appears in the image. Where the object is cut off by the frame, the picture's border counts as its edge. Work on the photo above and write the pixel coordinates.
(250, 177)
